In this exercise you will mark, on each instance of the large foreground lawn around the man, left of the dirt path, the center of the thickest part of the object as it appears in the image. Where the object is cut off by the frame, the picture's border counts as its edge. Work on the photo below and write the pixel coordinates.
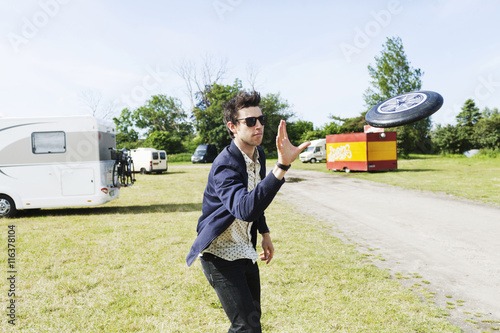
(121, 268)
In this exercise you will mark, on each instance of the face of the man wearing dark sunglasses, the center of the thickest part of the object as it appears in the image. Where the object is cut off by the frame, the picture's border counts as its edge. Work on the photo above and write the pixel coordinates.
(248, 136)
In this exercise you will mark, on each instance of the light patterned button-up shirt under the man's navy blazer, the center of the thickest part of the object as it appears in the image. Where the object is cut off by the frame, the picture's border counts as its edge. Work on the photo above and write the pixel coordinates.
(236, 241)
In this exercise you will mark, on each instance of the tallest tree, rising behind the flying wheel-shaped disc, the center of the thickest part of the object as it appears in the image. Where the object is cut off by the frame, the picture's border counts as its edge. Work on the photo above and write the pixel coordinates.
(393, 75)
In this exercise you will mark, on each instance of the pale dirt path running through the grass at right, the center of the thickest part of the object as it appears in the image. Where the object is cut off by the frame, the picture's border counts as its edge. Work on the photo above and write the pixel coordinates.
(449, 246)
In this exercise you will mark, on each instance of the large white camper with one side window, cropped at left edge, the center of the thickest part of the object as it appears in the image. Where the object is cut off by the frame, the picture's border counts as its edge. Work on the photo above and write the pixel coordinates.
(55, 162)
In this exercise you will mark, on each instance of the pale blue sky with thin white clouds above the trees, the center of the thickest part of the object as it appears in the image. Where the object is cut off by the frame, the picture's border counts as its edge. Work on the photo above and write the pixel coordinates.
(315, 54)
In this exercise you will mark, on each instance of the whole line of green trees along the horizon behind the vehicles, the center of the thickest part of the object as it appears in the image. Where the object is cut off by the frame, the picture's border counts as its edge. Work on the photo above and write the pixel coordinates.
(165, 124)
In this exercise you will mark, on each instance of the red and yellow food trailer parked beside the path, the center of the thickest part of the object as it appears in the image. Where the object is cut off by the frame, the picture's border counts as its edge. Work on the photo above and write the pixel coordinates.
(361, 151)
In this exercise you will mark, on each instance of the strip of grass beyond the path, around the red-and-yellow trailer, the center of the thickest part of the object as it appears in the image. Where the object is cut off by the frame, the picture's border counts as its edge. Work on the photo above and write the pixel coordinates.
(476, 178)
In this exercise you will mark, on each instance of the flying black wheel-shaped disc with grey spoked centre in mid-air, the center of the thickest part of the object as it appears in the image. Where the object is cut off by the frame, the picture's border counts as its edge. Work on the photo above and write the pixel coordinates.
(404, 109)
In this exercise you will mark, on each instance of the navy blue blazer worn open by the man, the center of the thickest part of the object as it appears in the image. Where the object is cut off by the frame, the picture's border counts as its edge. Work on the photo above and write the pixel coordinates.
(226, 197)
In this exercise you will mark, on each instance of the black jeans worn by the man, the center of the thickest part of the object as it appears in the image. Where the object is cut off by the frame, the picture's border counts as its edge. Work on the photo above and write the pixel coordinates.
(237, 284)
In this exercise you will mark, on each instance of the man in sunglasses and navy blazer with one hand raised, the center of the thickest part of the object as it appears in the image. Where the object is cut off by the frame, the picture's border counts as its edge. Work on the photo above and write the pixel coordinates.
(237, 193)
